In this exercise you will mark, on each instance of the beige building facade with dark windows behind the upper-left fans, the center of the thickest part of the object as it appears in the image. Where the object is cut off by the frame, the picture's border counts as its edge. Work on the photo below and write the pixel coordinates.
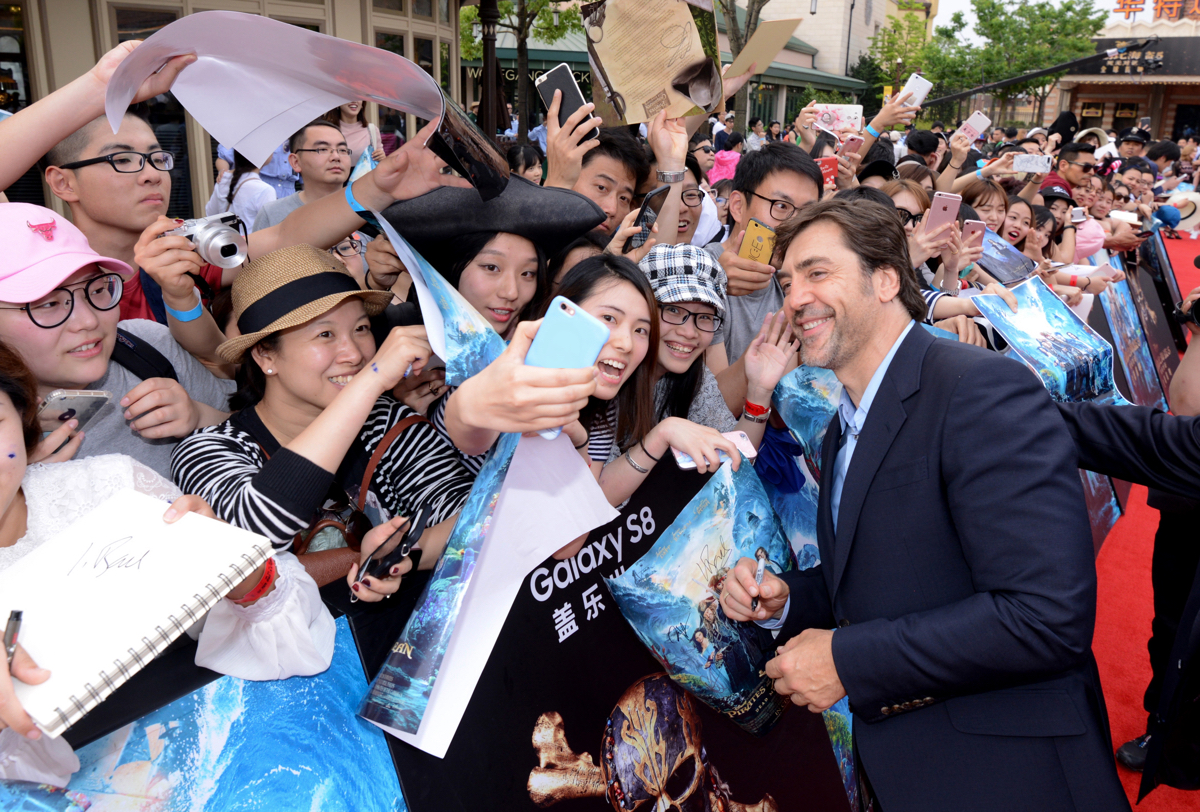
(47, 44)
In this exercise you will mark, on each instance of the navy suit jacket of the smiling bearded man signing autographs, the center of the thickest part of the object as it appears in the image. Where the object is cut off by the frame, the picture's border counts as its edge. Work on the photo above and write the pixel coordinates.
(963, 588)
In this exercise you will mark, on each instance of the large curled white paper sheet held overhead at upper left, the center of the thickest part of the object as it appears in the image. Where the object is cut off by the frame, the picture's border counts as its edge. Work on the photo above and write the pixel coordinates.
(257, 81)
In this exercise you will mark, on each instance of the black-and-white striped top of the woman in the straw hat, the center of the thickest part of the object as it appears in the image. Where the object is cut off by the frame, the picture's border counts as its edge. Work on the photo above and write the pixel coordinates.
(280, 497)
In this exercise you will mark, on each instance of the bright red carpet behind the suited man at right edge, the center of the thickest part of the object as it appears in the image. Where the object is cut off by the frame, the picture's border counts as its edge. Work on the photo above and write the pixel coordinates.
(1125, 606)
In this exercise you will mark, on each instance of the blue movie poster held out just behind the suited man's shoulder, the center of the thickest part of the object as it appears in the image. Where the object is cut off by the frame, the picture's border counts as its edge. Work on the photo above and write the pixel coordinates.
(1051, 339)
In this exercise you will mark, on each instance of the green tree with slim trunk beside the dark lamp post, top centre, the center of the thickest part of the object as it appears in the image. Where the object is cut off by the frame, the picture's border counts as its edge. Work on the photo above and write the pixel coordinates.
(524, 20)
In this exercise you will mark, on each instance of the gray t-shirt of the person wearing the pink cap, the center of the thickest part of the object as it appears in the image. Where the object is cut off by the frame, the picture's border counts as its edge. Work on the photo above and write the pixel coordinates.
(111, 434)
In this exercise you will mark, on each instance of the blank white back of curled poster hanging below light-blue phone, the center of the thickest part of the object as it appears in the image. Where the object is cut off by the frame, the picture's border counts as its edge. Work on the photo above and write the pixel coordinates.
(549, 500)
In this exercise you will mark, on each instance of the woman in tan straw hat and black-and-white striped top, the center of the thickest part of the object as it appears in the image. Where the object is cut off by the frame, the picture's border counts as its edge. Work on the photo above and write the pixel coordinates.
(315, 424)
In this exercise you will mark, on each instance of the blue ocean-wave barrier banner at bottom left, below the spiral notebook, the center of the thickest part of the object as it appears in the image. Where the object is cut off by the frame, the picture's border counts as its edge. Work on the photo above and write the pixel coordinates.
(239, 745)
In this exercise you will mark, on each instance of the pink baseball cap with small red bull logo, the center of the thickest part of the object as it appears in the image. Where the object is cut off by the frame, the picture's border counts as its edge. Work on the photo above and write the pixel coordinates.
(43, 250)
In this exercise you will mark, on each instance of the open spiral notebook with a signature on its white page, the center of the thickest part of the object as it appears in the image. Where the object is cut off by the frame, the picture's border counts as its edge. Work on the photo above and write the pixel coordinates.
(107, 594)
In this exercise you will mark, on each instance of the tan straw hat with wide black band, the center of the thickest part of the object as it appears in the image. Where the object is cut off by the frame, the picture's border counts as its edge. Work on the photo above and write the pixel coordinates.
(287, 288)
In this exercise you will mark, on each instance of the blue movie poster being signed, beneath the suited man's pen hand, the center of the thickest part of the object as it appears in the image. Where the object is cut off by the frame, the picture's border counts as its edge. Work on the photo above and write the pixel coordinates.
(673, 597)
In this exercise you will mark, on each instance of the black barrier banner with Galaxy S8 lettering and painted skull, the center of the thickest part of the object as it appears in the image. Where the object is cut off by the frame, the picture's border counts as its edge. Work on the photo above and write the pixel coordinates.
(573, 711)
